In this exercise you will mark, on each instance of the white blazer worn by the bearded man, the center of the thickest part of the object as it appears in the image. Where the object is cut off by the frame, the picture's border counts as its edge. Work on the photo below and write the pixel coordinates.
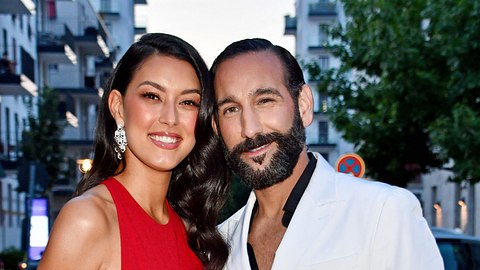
(343, 222)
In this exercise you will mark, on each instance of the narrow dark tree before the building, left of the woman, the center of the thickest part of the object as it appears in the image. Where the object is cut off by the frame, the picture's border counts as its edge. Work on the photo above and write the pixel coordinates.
(42, 142)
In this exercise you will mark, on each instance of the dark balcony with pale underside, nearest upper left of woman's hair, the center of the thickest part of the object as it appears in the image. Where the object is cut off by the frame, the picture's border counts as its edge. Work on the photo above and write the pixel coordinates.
(92, 42)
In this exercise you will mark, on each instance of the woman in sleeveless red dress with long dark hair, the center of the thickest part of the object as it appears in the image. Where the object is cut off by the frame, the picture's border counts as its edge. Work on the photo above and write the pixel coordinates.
(148, 202)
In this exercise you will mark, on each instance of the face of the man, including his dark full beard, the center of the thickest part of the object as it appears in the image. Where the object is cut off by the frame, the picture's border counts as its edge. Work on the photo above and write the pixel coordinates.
(260, 124)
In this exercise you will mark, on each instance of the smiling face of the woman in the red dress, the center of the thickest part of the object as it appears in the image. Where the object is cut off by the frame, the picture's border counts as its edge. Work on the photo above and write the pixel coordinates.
(159, 111)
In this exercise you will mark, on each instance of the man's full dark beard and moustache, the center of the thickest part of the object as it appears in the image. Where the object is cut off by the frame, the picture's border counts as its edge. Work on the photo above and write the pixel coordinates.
(282, 163)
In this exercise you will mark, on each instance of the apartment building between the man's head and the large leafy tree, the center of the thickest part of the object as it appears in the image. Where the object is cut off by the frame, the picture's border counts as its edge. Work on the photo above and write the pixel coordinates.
(310, 39)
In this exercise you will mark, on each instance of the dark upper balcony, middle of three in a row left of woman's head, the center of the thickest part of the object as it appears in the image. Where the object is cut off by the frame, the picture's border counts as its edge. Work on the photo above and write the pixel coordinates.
(57, 48)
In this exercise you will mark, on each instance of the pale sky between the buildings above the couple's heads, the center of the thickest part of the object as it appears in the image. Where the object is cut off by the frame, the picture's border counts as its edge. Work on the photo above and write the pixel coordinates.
(211, 25)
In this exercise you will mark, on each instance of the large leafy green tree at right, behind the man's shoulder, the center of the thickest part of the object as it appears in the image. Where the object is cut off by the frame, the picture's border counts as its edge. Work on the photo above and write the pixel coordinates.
(407, 92)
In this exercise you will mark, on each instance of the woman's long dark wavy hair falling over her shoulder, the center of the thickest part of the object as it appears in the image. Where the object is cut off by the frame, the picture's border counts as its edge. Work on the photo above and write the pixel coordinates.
(200, 183)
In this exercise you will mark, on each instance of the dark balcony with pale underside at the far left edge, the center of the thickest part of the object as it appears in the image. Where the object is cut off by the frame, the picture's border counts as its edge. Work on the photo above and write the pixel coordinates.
(23, 83)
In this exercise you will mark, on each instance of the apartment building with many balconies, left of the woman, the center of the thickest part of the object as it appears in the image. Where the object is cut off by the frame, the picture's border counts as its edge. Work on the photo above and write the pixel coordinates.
(70, 46)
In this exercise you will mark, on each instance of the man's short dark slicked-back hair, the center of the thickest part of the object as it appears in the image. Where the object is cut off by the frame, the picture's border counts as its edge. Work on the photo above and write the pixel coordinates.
(293, 75)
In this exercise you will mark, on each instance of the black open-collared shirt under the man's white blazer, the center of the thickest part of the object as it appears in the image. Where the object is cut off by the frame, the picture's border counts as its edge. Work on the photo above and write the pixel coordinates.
(290, 206)
